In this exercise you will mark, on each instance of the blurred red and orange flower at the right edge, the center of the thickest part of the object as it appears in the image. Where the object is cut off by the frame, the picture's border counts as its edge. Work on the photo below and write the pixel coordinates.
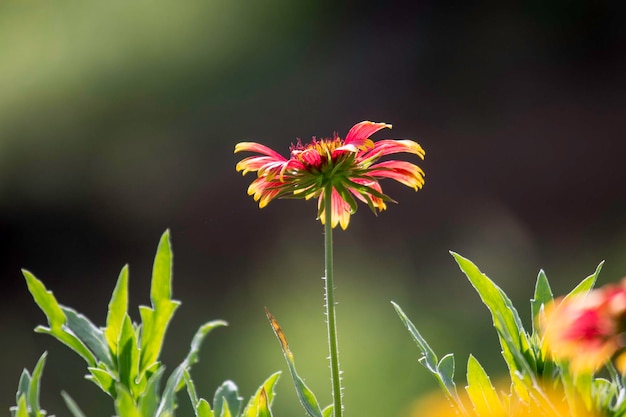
(587, 330)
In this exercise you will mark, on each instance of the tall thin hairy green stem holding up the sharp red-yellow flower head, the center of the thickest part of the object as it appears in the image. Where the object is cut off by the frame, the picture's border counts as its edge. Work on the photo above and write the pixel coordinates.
(335, 374)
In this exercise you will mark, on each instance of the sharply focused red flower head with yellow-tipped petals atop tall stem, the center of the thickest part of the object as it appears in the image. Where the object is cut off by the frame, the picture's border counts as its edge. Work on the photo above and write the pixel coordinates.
(335, 168)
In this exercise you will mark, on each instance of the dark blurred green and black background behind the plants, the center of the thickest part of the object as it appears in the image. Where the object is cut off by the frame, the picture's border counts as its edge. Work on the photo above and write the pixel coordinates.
(118, 120)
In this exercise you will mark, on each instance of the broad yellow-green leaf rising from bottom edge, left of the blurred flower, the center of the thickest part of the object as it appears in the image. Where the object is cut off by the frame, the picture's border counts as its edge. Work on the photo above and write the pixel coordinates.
(480, 390)
